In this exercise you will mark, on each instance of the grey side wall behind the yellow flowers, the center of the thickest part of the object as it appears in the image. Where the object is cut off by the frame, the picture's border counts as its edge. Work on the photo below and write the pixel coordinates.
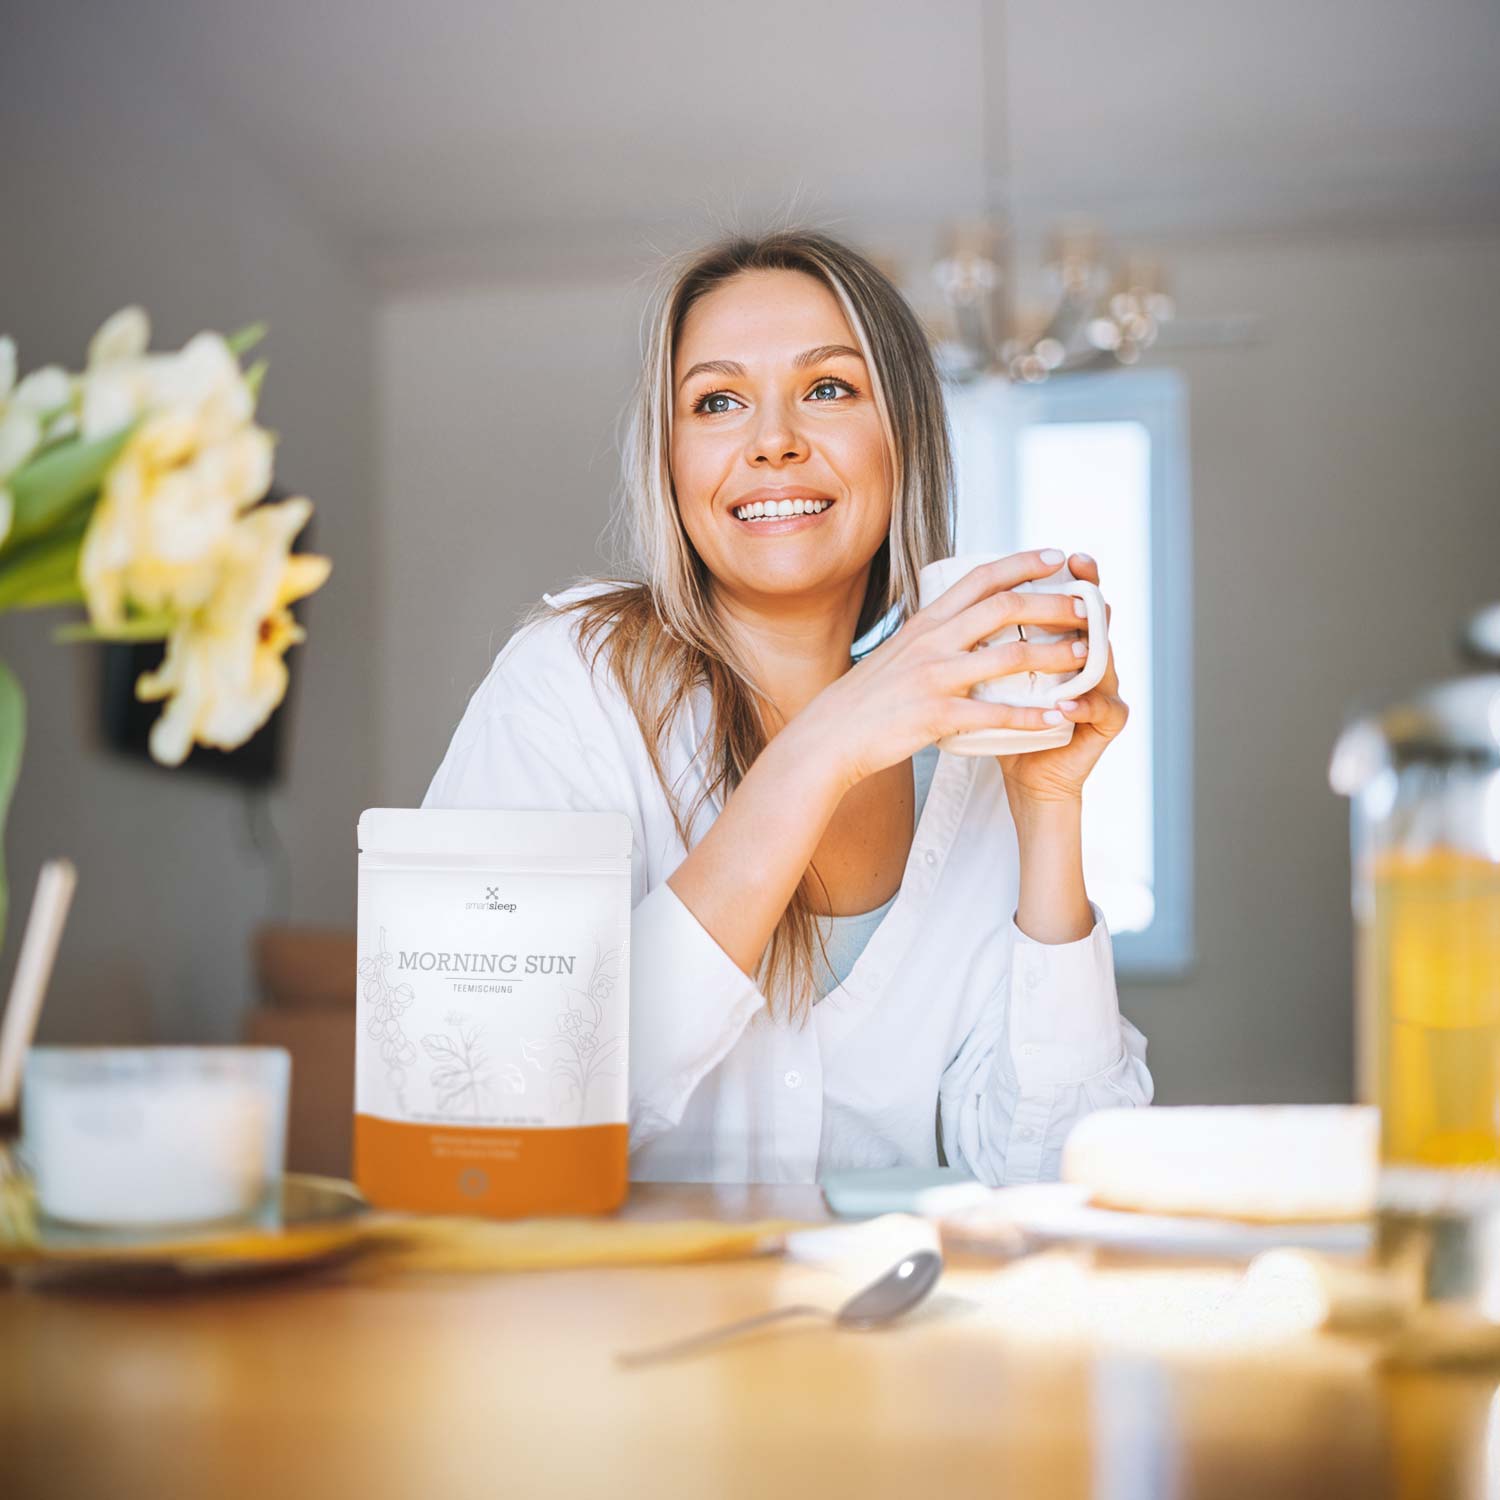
(121, 188)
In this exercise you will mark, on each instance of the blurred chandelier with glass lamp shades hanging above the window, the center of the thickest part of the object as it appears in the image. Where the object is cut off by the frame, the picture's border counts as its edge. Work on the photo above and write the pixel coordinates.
(1100, 310)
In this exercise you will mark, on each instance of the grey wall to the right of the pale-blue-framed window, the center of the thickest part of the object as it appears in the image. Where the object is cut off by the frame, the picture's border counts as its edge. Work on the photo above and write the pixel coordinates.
(1346, 500)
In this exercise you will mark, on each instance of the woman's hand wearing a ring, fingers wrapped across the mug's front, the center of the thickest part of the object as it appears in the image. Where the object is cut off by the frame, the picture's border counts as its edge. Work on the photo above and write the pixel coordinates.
(914, 688)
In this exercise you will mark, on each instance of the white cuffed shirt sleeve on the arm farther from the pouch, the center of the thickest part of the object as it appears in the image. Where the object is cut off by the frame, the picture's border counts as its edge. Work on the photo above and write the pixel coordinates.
(1049, 1049)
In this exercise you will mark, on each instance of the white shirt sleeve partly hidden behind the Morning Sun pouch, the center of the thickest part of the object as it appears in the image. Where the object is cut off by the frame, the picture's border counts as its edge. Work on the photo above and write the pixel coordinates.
(689, 1000)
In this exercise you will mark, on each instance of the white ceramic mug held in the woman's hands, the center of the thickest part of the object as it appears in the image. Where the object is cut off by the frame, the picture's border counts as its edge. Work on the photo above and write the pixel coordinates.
(1024, 689)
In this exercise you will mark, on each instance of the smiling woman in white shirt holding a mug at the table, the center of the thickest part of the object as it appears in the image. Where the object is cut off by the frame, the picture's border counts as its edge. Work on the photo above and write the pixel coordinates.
(847, 949)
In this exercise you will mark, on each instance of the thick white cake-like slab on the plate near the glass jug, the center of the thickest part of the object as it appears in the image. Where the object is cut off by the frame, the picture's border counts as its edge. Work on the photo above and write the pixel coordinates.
(1274, 1163)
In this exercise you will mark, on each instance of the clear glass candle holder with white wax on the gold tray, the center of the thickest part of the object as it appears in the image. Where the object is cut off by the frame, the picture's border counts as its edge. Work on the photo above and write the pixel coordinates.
(142, 1138)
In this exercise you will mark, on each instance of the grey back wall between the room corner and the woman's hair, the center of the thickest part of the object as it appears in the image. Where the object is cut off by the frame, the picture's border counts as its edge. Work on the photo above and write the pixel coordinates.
(497, 461)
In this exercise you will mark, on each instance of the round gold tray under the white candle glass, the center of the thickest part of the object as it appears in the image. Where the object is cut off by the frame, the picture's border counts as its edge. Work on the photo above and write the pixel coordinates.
(314, 1220)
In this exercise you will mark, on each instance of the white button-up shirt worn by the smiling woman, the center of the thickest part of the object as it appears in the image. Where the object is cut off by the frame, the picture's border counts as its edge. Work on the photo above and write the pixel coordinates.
(949, 1006)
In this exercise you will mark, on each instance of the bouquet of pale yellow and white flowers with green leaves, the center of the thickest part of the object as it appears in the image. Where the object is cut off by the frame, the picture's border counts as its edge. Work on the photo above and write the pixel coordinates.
(131, 490)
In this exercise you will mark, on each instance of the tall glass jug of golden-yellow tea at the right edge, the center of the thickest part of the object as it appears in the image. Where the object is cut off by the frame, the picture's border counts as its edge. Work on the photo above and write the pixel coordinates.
(1424, 779)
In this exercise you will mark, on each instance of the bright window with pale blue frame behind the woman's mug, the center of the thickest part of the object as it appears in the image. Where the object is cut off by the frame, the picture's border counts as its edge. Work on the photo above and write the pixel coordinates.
(1097, 464)
